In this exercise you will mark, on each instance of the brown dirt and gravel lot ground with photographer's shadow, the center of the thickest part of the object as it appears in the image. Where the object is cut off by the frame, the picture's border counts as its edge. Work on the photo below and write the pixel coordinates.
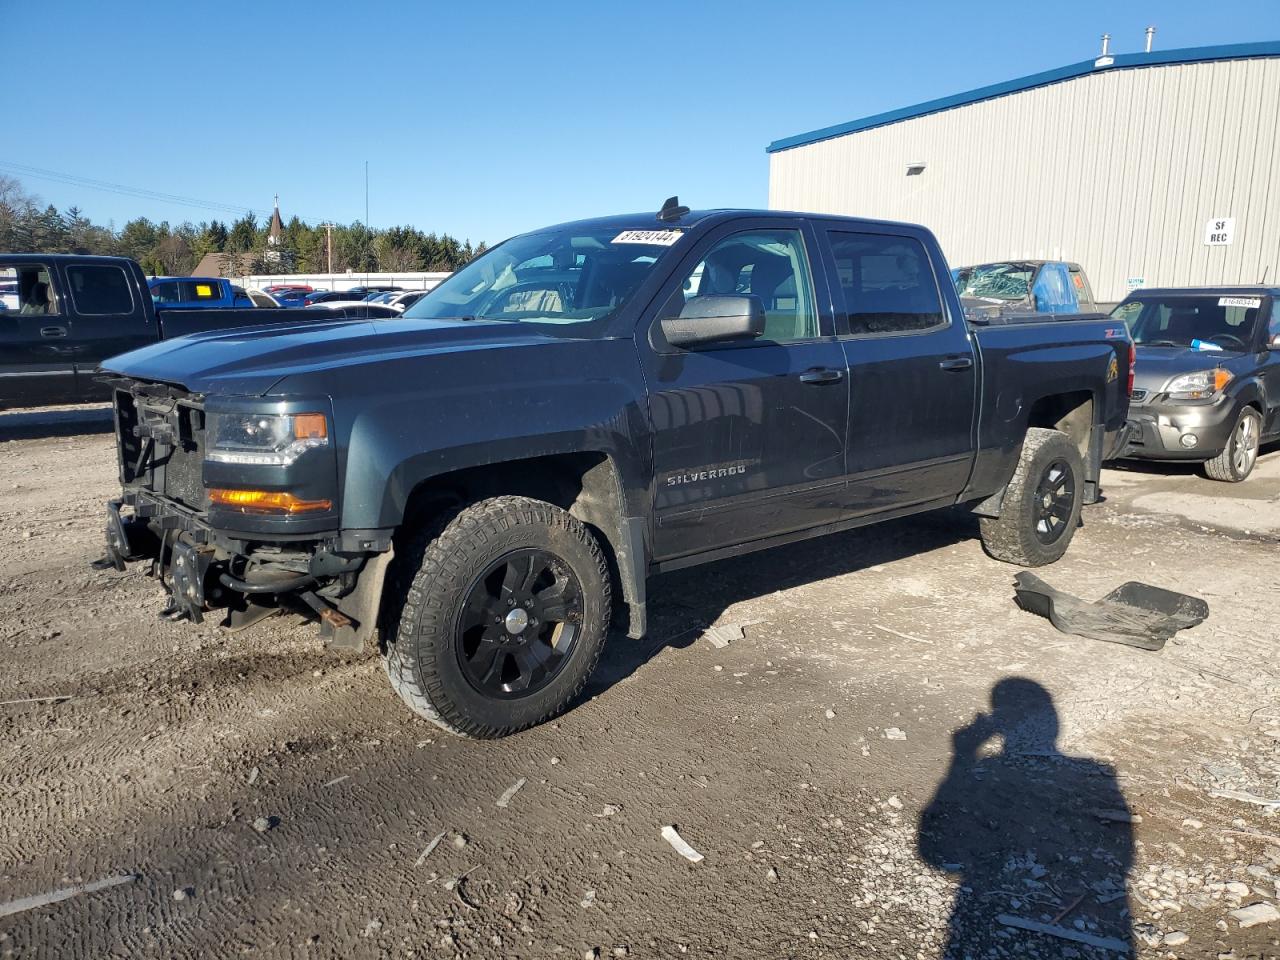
(892, 761)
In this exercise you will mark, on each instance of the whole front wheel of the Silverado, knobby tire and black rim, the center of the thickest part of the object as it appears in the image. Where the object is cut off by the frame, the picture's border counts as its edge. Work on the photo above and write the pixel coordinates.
(499, 618)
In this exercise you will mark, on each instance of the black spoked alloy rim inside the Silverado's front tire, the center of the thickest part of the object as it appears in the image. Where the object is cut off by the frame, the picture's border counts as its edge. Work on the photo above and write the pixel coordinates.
(519, 624)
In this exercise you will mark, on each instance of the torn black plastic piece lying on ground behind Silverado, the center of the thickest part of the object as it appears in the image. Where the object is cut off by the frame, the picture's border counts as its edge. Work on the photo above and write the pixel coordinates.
(1136, 615)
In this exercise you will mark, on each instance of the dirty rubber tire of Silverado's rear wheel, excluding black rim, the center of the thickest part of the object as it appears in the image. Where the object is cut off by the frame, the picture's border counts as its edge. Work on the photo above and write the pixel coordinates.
(1012, 537)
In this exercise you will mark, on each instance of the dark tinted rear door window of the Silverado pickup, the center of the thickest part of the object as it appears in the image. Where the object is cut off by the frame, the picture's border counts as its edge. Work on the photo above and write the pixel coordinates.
(889, 284)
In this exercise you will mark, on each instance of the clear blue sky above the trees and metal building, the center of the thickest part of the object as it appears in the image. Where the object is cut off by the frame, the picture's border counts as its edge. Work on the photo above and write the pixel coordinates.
(486, 120)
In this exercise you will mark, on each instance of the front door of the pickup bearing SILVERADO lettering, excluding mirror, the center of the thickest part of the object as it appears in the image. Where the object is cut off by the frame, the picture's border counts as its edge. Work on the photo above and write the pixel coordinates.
(749, 436)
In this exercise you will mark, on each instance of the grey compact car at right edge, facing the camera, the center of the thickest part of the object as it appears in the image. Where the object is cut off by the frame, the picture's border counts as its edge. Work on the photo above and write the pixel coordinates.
(1208, 378)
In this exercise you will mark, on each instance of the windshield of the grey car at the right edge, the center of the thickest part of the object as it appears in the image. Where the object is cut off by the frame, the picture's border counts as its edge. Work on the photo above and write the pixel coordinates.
(1205, 322)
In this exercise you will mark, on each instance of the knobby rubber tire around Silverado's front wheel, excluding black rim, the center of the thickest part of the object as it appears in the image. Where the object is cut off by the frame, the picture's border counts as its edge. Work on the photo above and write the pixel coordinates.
(429, 586)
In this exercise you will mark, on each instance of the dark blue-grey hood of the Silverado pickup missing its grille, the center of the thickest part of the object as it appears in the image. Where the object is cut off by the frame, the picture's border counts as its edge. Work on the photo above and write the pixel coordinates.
(250, 360)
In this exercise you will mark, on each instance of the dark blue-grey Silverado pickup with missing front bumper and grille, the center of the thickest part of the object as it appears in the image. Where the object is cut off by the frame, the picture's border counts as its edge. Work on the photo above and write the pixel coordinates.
(486, 483)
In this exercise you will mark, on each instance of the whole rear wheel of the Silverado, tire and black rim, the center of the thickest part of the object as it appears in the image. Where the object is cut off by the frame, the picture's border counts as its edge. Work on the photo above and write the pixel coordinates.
(1043, 502)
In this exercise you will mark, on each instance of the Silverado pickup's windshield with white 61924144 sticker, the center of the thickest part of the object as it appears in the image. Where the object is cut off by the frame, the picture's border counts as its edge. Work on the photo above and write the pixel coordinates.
(575, 277)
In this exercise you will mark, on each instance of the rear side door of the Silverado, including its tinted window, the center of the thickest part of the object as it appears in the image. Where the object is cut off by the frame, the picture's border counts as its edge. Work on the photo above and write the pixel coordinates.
(912, 371)
